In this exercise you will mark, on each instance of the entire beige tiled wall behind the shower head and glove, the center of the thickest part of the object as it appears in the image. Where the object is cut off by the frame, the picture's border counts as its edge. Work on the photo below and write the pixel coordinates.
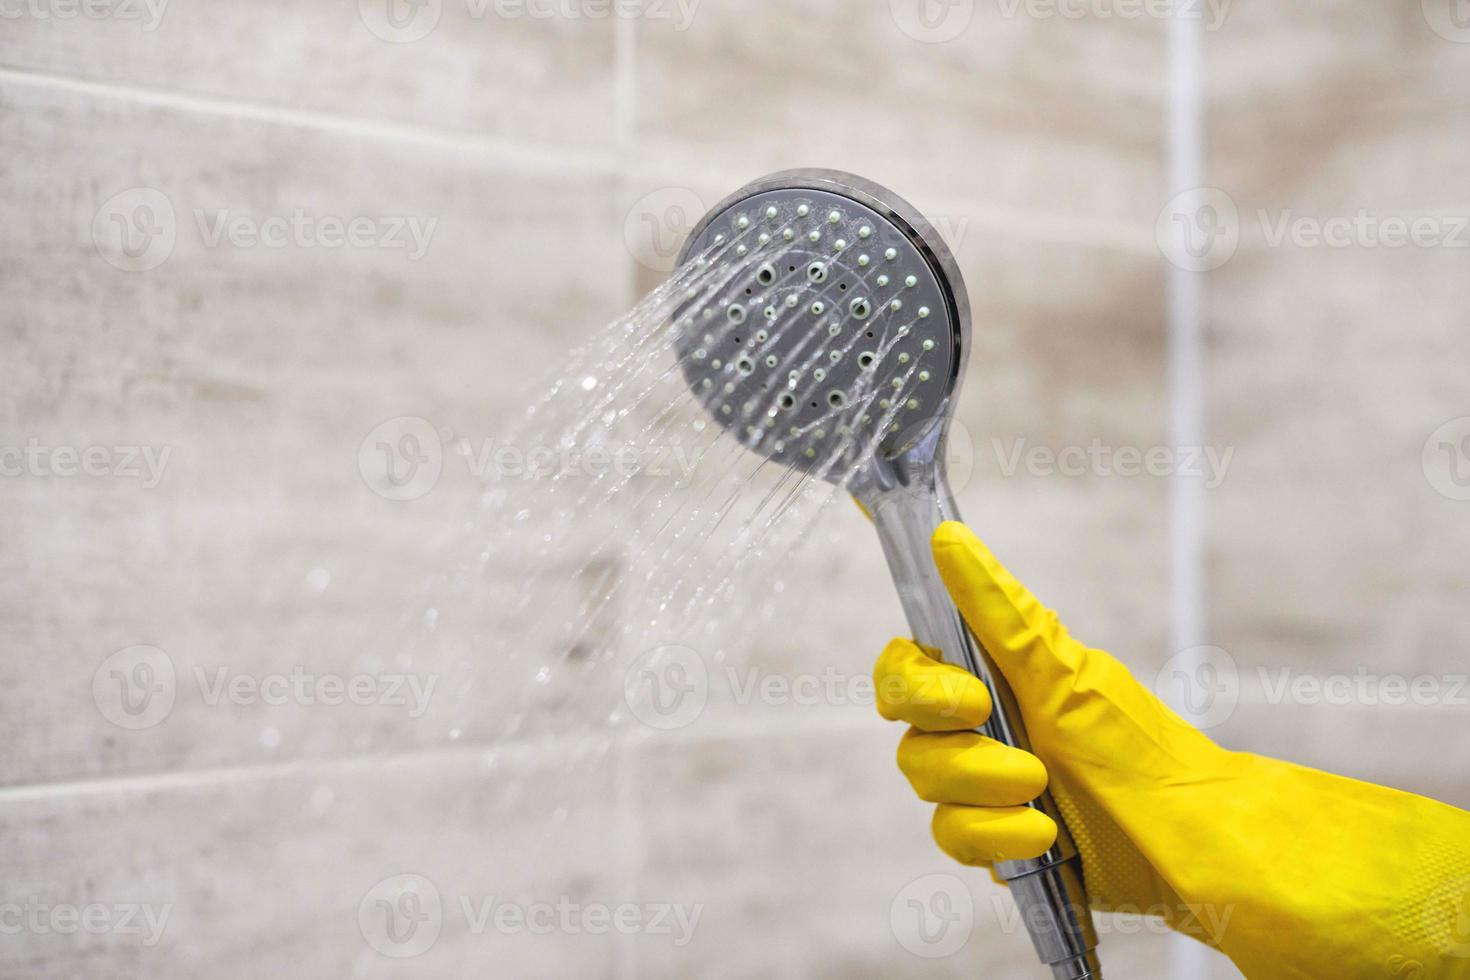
(536, 145)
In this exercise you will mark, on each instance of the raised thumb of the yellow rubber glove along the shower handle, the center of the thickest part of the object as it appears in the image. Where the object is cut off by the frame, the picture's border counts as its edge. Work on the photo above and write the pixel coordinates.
(1024, 637)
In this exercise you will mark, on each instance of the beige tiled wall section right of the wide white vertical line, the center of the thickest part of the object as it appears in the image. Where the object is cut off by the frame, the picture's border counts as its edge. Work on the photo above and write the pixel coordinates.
(1338, 544)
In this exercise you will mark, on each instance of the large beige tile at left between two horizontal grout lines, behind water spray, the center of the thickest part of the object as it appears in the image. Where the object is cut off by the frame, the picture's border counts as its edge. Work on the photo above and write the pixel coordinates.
(262, 371)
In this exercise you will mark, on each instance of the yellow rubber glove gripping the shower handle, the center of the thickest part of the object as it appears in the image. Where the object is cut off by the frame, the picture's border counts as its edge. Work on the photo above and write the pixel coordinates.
(1288, 871)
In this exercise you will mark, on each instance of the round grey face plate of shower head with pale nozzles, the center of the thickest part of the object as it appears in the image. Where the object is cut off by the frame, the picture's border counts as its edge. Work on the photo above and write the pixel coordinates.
(830, 331)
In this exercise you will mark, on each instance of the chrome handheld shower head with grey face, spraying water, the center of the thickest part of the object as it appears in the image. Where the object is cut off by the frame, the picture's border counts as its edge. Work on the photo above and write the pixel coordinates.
(831, 336)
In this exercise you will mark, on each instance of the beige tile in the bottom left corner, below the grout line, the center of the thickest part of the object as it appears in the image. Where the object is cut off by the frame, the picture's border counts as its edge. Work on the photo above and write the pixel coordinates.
(267, 873)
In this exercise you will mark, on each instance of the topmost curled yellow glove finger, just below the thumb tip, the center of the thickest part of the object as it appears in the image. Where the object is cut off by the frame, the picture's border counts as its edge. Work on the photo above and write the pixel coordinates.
(914, 687)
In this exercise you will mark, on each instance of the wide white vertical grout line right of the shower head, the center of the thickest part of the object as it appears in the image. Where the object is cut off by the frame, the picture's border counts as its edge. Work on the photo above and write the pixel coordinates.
(1188, 960)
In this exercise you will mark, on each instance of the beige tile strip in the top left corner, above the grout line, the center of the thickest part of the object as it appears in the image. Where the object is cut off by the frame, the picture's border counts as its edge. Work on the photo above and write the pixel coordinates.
(537, 79)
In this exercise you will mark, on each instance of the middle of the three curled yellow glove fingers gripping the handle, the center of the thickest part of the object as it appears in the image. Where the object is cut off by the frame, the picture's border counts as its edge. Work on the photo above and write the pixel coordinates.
(969, 769)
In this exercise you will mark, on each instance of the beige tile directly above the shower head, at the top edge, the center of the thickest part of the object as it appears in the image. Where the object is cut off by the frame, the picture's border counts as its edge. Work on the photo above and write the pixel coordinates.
(1028, 115)
